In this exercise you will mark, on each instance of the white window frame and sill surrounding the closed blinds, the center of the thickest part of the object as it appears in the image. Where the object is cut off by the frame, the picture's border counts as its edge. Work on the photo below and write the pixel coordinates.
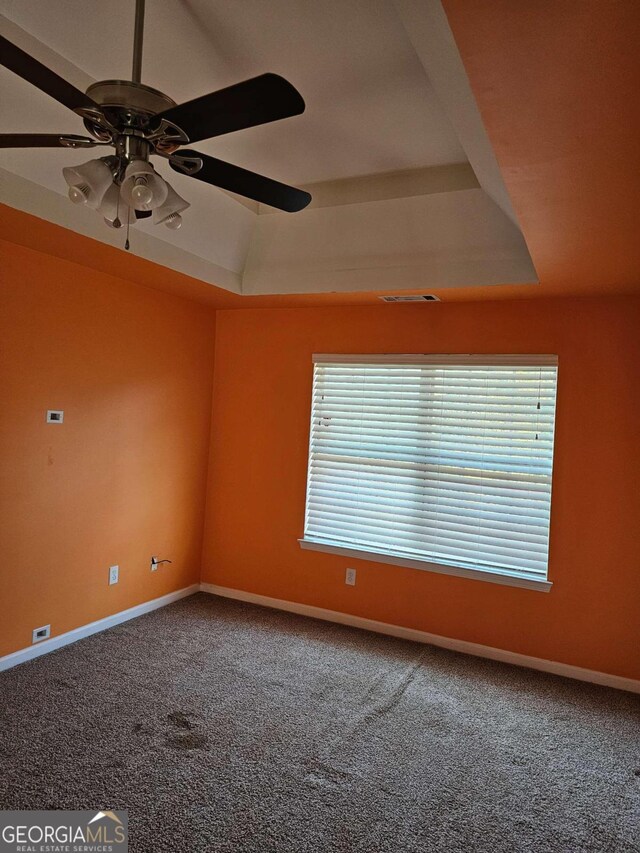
(501, 576)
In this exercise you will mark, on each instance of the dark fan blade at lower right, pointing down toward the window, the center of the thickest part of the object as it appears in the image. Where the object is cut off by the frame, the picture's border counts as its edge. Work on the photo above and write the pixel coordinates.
(241, 181)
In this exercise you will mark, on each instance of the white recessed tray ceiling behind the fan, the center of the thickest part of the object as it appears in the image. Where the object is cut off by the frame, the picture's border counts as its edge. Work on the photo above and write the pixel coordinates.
(385, 91)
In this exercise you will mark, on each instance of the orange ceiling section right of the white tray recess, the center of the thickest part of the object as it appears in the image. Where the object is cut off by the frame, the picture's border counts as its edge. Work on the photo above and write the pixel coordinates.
(558, 84)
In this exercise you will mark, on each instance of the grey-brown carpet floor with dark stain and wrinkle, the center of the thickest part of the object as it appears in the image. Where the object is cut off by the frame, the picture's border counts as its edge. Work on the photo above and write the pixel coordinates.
(227, 727)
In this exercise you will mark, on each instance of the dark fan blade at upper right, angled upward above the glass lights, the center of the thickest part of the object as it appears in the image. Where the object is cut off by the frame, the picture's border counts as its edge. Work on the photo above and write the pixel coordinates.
(262, 99)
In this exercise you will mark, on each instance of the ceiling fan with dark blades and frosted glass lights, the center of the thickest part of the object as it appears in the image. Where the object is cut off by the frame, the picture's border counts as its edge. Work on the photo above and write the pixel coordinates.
(138, 121)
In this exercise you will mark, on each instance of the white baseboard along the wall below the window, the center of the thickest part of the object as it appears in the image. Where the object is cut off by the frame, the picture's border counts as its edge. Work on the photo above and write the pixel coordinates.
(568, 671)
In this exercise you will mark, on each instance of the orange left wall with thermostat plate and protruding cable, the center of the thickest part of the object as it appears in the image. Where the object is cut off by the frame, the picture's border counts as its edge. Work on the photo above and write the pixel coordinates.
(124, 476)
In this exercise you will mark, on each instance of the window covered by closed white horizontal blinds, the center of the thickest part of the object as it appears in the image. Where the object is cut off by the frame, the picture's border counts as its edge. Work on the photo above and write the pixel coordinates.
(439, 462)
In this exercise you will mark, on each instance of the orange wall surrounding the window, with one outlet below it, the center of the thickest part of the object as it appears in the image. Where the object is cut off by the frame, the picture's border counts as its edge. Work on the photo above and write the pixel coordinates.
(262, 395)
